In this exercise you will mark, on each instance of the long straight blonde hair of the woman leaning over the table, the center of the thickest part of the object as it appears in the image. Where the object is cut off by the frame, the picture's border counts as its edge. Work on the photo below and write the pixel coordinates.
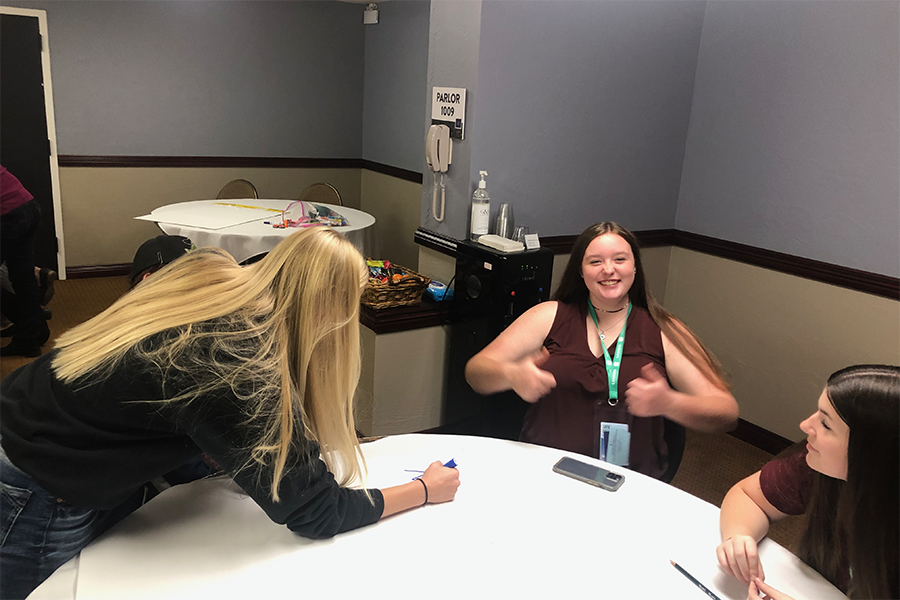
(287, 325)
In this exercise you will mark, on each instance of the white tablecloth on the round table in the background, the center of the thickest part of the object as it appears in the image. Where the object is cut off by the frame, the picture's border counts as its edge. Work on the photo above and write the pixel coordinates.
(254, 237)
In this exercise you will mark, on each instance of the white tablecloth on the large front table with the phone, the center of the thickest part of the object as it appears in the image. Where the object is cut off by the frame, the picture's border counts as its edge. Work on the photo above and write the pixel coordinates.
(515, 530)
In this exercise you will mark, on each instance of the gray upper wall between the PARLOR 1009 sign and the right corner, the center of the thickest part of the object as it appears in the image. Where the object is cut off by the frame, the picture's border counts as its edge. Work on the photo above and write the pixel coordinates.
(579, 112)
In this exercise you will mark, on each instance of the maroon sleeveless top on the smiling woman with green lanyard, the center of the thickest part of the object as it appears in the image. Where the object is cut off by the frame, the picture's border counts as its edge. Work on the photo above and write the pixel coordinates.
(569, 416)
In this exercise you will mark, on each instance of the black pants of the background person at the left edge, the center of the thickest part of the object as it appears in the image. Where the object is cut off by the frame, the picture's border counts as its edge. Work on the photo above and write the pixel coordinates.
(18, 232)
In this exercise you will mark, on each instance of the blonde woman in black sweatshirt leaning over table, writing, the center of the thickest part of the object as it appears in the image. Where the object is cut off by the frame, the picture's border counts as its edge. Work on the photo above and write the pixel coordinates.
(255, 366)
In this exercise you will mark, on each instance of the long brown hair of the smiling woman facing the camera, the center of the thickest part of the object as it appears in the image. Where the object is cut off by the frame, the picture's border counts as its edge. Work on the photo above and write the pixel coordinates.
(572, 290)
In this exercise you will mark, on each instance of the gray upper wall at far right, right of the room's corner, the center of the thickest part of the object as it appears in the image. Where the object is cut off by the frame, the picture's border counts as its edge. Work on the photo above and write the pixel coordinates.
(794, 142)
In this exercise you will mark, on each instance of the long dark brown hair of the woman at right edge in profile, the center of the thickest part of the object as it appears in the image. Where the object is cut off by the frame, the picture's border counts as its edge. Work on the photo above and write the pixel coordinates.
(860, 514)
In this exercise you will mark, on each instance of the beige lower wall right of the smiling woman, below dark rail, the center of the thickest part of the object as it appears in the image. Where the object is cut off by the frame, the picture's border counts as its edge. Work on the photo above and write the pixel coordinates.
(779, 337)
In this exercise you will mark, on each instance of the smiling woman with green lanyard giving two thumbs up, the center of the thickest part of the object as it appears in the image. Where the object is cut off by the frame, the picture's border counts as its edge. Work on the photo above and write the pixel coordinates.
(560, 356)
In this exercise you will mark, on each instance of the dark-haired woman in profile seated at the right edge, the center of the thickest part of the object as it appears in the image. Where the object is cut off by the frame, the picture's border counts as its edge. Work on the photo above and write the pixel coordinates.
(846, 479)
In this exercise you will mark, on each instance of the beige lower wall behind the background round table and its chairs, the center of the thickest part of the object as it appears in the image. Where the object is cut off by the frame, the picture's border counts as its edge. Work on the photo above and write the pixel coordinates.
(99, 204)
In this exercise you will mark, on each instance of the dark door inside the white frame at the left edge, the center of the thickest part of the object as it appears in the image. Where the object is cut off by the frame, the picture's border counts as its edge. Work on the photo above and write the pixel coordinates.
(24, 143)
